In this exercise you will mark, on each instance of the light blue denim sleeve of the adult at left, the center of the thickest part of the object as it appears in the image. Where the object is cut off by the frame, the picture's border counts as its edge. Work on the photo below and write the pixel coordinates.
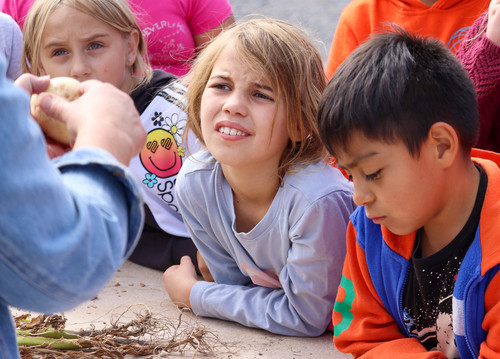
(65, 226)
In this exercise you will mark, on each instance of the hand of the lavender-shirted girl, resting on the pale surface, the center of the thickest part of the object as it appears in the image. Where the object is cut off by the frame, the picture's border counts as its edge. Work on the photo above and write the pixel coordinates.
(179, 280)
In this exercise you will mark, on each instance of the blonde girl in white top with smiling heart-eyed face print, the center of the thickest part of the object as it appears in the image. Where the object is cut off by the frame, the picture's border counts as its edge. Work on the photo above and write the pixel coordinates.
(100, 39)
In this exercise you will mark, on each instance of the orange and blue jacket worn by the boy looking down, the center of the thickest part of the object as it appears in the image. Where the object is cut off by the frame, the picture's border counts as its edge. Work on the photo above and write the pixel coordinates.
(368, 314)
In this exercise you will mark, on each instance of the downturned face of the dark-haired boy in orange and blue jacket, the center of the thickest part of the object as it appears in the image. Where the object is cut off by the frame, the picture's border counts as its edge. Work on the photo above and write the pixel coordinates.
(399, 191)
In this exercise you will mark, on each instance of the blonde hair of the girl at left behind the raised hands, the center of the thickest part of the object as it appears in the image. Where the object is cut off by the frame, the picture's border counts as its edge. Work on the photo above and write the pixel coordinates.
(115, 13)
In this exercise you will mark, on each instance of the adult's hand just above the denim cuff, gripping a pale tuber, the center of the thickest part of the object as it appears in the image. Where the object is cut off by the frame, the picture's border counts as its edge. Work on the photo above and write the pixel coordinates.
(103, 116)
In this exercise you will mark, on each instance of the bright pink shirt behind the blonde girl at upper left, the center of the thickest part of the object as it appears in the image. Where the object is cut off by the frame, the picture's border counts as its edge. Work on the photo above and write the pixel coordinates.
(169, 26)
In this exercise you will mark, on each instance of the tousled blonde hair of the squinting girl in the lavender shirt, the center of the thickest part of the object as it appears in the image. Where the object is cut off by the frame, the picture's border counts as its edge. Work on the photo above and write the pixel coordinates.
(290, 62)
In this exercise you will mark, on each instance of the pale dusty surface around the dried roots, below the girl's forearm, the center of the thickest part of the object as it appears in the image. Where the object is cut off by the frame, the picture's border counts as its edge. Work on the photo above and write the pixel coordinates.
(136, 289)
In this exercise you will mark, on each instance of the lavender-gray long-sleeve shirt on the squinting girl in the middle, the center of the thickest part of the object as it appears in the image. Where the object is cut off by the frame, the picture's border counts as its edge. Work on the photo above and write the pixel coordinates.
(283, 275)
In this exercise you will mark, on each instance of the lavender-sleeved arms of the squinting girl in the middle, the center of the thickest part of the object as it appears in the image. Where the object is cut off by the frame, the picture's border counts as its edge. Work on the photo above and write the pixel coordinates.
(309, 277)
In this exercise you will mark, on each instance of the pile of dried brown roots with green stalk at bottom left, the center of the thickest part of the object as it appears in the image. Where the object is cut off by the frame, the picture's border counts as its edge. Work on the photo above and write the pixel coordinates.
(44, 337)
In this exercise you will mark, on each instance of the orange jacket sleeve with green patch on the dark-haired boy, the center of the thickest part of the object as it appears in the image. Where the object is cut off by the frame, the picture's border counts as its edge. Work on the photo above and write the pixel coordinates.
(362, 325)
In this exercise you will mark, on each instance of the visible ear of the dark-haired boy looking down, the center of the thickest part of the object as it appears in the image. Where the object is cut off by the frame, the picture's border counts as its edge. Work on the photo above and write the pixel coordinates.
(444, 143)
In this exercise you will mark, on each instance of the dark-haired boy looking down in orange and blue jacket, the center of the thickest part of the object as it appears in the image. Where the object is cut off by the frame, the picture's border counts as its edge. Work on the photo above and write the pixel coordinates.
(420, 277)
